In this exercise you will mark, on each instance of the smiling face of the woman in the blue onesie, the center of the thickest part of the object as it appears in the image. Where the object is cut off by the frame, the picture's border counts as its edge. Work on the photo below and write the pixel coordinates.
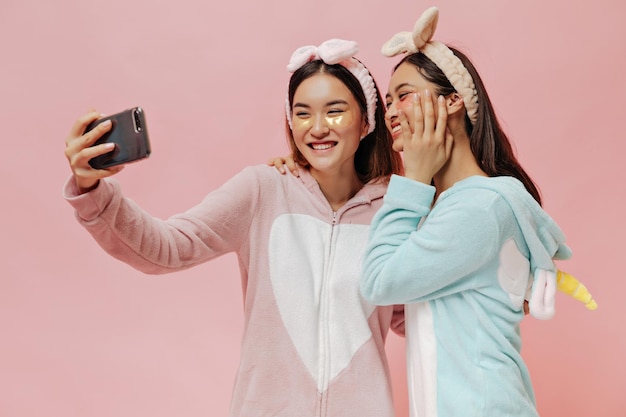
(404, 84)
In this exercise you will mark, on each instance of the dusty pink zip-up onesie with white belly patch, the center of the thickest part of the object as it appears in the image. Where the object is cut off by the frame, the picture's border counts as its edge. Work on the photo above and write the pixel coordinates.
(312, 346)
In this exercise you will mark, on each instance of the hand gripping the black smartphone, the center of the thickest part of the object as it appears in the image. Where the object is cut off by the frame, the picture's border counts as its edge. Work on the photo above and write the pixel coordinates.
(78, 151)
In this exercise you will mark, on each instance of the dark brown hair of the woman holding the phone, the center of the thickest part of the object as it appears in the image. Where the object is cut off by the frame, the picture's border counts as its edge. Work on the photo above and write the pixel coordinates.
(374, 158)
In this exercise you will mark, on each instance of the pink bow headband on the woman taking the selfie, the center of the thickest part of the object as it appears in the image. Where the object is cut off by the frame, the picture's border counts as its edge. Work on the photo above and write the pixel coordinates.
(338, 51)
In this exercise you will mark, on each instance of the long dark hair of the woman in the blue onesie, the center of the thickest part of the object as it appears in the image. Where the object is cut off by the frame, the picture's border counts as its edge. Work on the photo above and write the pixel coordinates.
(490, 146)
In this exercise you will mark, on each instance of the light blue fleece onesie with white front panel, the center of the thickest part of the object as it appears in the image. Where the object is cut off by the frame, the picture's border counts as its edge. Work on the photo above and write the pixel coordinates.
(463, 268)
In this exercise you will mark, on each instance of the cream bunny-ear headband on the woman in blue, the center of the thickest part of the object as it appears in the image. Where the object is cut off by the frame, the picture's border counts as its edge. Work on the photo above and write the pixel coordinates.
(454, 70)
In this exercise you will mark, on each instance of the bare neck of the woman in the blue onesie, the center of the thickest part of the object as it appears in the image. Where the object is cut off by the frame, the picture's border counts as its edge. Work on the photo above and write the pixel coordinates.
(462, 163)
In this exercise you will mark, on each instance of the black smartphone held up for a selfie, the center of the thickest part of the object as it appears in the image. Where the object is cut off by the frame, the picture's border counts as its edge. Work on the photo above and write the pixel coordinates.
(129, 132)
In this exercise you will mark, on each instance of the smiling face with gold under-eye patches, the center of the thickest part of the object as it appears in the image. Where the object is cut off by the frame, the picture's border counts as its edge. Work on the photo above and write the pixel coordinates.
(327, 124)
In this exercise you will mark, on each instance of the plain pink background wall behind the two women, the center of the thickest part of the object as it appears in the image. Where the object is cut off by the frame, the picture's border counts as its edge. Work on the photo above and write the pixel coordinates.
(84, 335)
